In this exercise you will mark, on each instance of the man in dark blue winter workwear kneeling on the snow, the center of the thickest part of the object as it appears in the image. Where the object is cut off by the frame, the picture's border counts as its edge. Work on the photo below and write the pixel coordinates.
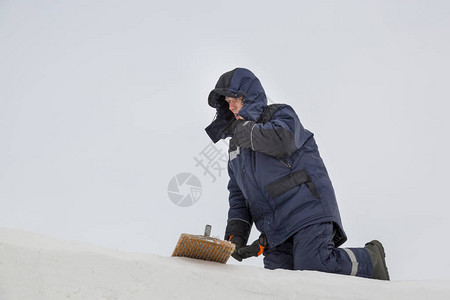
(279, 182)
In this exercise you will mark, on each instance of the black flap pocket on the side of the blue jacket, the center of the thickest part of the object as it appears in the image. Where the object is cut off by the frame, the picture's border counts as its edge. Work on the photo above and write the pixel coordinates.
(290, 181)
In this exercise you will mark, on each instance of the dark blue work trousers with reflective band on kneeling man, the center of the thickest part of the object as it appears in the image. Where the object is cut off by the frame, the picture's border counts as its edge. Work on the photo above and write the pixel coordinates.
(312, 248)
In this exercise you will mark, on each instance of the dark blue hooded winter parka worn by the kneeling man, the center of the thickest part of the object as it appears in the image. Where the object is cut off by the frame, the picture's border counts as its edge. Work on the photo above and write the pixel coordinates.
(278, 180)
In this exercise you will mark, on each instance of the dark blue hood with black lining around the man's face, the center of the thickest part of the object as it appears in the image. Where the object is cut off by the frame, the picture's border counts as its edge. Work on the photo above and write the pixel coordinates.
(236, 83)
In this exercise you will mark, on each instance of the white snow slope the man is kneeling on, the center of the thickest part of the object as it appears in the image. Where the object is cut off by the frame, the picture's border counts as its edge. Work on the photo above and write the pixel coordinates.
(38, 267)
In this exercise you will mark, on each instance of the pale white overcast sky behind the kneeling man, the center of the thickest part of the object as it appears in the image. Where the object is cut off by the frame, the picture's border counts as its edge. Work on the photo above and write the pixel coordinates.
(102, 103)
